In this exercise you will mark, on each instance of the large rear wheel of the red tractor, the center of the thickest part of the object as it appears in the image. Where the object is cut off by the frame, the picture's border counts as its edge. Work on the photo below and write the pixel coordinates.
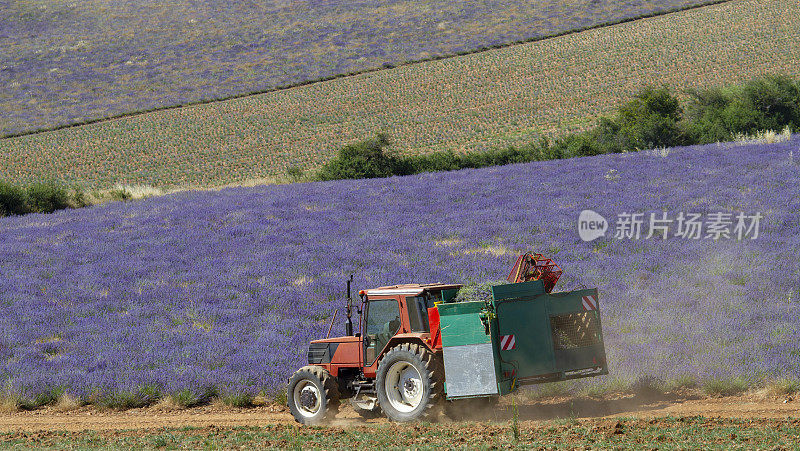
(409, 383)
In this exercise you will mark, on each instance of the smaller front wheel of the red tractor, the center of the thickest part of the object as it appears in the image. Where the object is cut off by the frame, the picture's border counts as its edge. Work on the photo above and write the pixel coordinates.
(313, 395)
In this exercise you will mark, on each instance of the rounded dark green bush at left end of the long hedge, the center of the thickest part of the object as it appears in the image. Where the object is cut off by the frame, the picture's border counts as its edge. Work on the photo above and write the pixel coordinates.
(366, 159)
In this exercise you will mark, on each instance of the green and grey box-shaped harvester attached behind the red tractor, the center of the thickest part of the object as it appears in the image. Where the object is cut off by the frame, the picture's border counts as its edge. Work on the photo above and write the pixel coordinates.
(523, 335)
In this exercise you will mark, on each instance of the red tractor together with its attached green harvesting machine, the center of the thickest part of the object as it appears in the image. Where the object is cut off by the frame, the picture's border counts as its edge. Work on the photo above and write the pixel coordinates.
(417, 348)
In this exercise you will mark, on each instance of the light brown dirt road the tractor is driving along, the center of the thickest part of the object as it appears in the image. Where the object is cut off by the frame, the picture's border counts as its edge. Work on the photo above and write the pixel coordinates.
(90, 418)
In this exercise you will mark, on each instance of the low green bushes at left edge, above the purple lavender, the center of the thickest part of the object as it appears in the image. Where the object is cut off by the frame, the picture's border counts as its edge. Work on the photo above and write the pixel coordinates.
(45, 197)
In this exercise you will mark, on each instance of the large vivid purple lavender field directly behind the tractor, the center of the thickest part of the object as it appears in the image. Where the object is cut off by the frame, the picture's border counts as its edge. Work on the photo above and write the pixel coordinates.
(224, 289)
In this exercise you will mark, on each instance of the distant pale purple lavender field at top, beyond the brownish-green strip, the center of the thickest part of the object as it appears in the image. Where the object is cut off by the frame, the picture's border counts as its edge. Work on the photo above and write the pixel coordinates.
(69, 62)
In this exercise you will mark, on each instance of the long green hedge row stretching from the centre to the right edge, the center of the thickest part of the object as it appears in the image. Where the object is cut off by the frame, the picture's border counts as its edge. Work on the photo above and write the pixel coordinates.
(654, 118)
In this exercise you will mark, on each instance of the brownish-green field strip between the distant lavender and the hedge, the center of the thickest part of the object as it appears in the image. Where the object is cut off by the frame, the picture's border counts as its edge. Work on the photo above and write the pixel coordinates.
(471, 102)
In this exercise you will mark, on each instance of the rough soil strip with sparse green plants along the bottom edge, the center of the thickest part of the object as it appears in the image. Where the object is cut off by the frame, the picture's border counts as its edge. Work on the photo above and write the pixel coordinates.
(683, 432)
